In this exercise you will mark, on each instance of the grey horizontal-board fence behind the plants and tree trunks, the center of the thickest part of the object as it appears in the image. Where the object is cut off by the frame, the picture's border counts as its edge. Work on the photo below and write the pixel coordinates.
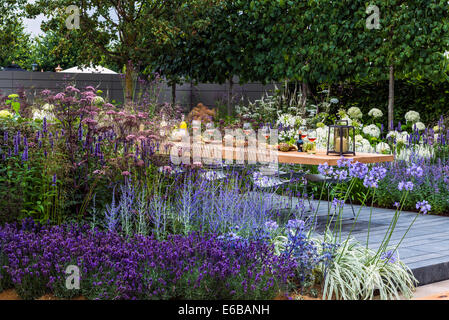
(187, 94)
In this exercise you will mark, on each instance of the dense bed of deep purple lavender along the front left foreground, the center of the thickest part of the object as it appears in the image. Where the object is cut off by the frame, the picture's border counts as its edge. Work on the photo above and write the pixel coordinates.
(34, 259)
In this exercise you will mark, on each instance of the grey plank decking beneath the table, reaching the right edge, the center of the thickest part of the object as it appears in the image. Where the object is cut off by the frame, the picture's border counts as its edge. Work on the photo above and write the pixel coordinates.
(425, 249)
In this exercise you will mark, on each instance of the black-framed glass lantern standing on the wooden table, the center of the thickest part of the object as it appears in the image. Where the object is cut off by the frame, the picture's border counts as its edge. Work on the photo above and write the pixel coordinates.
(342, 144)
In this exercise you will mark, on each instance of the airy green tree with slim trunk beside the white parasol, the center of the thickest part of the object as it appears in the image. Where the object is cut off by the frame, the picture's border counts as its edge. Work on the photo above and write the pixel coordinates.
(128, 33)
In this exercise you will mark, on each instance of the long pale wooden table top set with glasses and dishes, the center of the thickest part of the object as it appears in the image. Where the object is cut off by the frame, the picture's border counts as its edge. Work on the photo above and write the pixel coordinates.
(295, 157)
